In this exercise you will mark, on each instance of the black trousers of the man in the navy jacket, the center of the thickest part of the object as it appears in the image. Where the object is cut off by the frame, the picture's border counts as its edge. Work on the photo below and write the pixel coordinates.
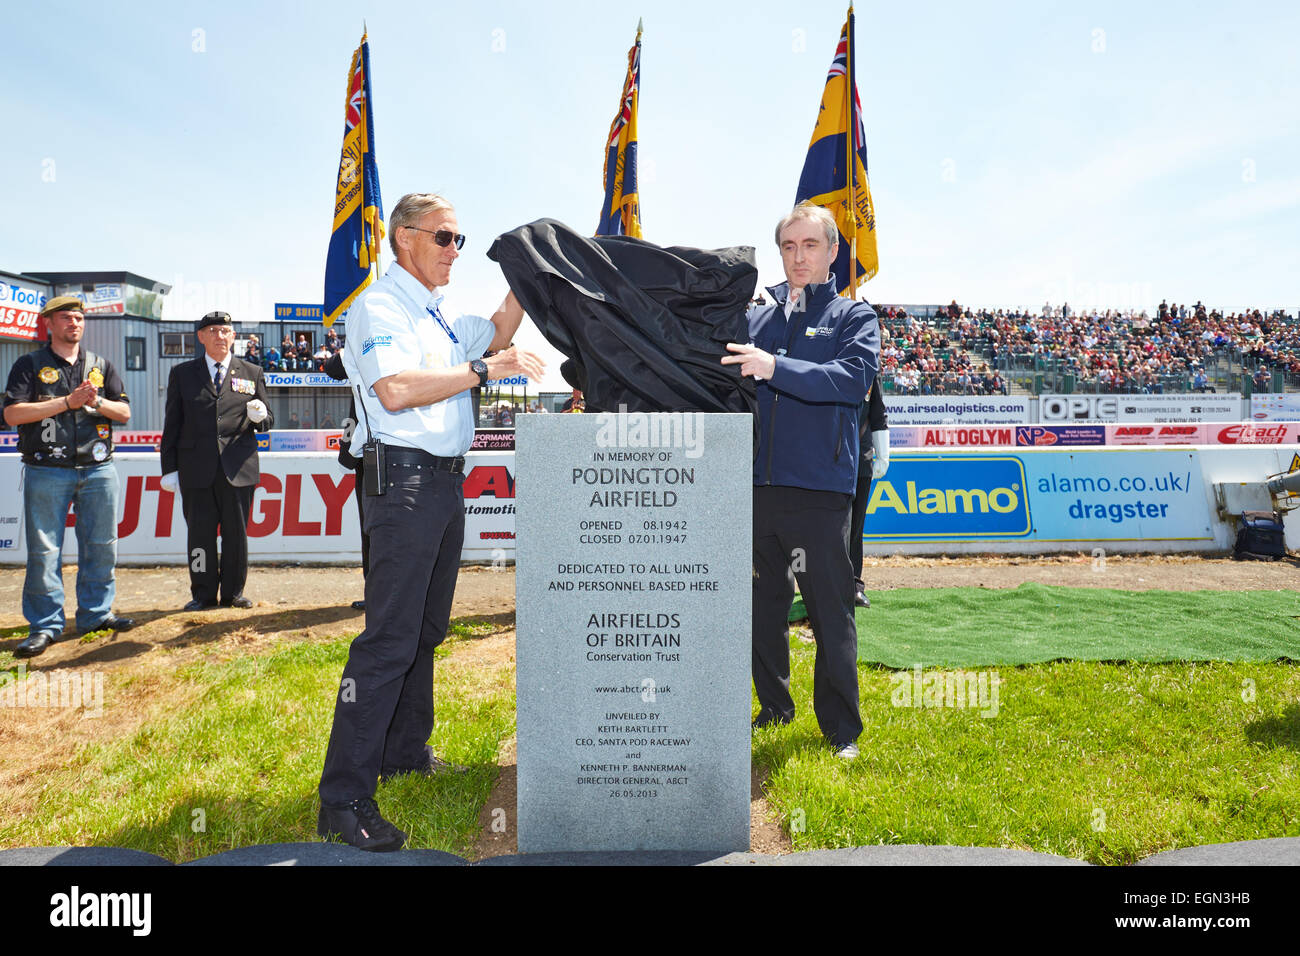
(807, 533)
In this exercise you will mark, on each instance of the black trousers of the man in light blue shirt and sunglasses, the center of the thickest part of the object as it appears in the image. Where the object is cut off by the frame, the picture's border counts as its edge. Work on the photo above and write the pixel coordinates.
(384, 712)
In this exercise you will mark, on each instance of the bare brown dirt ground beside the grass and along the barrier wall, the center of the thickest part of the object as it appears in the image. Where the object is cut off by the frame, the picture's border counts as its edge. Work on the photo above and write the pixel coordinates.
(298, 604)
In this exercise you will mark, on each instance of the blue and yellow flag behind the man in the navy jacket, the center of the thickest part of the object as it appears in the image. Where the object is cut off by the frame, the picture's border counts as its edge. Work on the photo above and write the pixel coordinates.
(835, 181)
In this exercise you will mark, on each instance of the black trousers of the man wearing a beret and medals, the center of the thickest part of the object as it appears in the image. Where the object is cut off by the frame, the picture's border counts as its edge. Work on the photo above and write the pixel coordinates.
(206, 509)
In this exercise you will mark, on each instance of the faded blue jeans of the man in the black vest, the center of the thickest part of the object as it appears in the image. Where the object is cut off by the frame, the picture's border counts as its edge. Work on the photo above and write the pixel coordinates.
(46, 495)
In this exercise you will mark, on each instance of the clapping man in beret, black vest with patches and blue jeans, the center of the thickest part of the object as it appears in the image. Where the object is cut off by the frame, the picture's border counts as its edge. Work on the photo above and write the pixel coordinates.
(64, 401)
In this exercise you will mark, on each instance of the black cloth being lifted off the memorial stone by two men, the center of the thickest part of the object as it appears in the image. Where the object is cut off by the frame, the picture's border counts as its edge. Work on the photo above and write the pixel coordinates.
(643, 326)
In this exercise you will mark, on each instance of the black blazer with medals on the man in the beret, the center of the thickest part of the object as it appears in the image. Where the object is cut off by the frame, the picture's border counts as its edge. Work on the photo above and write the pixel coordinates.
(203, 429)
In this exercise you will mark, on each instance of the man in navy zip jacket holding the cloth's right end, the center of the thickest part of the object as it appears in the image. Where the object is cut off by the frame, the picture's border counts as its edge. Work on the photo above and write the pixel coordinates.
(814, 357)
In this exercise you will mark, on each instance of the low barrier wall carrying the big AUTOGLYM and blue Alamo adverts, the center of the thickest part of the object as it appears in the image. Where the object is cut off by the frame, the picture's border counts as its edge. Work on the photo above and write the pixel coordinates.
(931, 501)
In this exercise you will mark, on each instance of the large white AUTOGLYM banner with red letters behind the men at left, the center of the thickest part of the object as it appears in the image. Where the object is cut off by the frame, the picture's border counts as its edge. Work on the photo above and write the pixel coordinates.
(302, 511)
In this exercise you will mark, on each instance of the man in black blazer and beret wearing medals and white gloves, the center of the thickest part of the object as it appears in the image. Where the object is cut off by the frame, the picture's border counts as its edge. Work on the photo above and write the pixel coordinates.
(210, 452)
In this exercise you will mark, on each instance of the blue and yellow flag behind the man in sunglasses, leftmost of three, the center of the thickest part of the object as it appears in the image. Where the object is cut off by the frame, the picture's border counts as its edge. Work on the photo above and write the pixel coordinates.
(354, 245)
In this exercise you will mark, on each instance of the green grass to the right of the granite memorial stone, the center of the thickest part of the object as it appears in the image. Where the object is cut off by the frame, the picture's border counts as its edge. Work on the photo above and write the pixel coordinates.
(1098, 762)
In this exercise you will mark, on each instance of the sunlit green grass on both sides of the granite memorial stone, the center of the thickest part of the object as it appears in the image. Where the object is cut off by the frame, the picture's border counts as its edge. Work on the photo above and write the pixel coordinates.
(1107, 763)
